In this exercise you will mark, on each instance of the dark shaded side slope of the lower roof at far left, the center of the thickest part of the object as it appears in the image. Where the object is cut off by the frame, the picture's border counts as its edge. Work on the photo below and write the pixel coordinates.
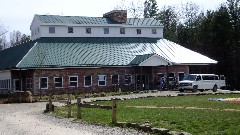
(10, 57)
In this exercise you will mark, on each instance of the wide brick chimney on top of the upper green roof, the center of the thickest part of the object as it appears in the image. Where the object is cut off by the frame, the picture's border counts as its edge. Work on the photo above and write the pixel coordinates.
(119, 16)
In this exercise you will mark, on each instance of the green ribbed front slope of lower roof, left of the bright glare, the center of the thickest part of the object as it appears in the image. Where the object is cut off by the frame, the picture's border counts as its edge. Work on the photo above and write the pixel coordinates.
(74, 52)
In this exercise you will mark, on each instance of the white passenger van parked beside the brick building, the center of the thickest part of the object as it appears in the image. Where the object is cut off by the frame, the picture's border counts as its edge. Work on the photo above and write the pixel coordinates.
(201, 82)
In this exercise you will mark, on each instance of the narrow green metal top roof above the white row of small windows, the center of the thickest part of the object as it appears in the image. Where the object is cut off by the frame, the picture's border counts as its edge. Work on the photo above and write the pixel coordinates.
(93, 20)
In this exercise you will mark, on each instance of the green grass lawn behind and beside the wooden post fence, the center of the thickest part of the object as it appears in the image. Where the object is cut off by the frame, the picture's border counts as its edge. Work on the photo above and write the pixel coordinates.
(193, 114)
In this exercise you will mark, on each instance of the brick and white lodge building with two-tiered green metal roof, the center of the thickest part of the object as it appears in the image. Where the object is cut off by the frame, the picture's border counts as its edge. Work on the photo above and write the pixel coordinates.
(94, 54)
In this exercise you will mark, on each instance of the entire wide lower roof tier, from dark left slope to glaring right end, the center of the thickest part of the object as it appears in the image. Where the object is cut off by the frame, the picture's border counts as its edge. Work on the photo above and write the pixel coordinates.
(92, 51)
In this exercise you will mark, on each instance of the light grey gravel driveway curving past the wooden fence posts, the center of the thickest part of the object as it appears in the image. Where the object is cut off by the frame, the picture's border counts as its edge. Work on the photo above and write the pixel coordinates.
(28, 119)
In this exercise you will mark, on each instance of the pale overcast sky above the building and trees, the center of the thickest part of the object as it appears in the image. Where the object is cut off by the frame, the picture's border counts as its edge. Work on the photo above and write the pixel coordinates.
(18, 14)
